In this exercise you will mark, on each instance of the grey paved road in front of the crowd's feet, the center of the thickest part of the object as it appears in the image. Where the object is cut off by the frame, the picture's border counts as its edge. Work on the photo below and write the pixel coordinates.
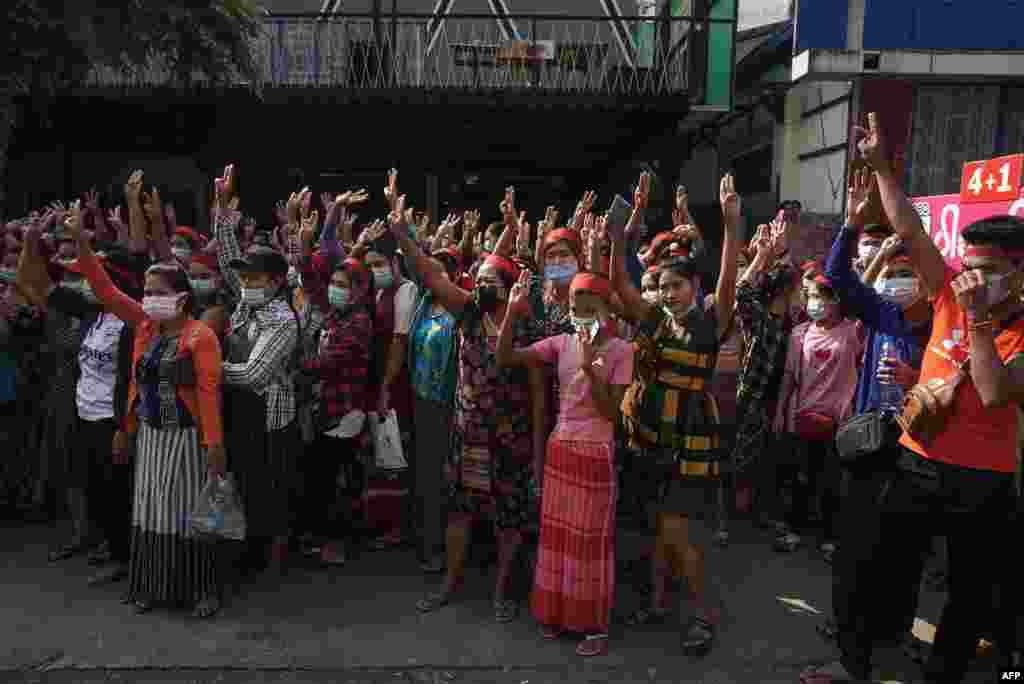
(358, 625)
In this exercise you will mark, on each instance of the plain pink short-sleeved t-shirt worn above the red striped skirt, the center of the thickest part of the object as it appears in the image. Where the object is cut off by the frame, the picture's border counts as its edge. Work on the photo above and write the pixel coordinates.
(579, 419)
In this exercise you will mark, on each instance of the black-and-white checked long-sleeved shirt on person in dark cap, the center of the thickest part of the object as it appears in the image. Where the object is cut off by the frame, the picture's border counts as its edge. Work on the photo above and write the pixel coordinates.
(273, 326)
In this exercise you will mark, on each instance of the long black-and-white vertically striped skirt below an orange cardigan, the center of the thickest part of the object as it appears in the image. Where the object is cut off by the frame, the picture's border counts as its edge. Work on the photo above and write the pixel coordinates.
(169, 565)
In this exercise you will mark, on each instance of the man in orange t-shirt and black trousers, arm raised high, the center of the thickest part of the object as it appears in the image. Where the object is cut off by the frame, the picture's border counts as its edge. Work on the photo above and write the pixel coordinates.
(961, 484)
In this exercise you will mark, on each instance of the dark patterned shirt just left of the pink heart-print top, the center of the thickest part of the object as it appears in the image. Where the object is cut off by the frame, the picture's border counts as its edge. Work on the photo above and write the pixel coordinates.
(766, 340)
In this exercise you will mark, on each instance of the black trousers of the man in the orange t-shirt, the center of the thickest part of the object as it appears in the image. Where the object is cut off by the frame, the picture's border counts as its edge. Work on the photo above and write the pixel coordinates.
(973, 509)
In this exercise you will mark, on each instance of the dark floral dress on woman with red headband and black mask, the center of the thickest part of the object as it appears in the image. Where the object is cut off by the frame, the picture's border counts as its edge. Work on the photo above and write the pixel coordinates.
(490, 471)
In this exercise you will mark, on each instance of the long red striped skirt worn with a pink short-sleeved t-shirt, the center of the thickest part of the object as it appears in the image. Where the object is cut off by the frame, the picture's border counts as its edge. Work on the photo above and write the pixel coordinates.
(575, 578)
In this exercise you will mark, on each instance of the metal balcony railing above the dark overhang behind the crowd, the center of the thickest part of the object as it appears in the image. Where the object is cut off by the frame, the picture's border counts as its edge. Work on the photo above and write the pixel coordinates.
(647, 57)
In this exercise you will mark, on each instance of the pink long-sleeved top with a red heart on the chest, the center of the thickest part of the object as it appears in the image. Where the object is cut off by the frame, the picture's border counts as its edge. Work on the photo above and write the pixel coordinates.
(828, 379)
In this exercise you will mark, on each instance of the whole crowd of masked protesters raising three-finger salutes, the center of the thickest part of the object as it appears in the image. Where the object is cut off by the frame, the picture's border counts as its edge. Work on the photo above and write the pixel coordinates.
(540, 378)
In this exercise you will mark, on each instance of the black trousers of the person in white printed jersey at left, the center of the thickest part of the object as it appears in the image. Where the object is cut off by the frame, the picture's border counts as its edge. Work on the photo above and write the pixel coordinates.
(110, 491)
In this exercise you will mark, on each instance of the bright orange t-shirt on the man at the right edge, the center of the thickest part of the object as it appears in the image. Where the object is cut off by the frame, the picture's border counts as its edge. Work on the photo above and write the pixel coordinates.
(975, 437)
